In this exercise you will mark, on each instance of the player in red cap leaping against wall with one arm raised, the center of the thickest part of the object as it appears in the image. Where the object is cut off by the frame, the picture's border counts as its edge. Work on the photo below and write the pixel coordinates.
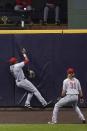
(21, 80)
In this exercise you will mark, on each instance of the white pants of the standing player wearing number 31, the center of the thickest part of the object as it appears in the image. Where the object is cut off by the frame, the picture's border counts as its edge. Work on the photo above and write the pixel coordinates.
(73, 99)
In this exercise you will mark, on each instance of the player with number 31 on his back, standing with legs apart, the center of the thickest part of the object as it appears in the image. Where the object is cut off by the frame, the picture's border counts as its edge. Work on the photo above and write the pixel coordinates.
(71, 90)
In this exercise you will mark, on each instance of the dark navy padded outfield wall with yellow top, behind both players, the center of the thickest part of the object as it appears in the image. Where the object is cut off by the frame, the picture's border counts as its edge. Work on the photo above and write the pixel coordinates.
(51, 52)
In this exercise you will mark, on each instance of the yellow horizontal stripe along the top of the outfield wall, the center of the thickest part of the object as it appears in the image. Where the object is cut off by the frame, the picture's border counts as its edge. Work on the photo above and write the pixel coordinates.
(71, 31)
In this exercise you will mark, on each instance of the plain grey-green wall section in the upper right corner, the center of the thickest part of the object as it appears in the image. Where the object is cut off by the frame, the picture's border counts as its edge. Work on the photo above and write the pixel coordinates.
(77, 13)
